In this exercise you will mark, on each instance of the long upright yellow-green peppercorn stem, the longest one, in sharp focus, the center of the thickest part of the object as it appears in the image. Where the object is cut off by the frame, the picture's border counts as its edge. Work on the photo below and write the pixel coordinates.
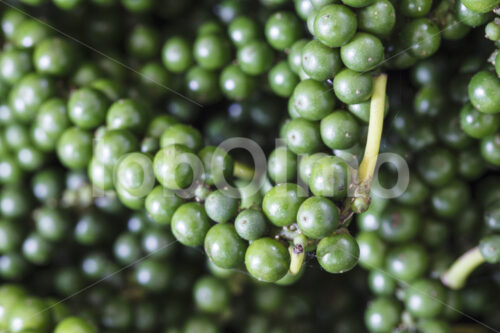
(377, 107)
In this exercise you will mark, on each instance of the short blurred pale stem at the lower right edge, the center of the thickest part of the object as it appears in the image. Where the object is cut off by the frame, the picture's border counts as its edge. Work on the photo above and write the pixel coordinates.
(456, 276)
